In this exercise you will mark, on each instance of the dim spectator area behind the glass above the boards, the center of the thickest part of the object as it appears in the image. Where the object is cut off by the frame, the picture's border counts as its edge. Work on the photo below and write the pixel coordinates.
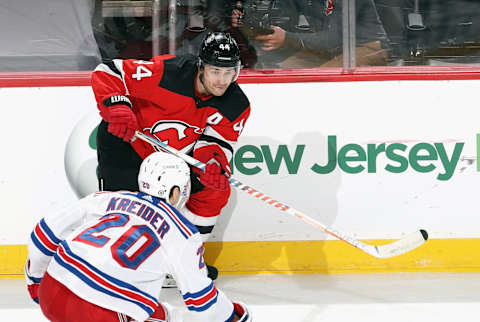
(270, 33)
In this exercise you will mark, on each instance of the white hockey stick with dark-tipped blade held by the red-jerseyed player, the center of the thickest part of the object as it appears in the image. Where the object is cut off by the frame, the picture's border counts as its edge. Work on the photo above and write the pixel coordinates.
(395, 248)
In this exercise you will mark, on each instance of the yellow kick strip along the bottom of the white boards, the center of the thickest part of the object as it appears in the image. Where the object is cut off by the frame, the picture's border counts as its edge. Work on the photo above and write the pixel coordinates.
(329, 257)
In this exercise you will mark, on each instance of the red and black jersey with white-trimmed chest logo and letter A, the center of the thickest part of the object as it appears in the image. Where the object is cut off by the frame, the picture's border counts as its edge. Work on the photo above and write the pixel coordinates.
(163, 97)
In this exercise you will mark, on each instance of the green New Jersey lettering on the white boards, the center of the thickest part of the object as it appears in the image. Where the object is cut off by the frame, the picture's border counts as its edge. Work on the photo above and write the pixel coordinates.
(353, 158)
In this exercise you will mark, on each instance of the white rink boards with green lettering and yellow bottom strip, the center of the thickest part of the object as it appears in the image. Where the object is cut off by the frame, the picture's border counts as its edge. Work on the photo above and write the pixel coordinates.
(375, 160)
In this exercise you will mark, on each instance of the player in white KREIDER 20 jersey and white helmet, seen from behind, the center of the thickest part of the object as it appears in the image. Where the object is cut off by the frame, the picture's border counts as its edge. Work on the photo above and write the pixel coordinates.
(105, 257)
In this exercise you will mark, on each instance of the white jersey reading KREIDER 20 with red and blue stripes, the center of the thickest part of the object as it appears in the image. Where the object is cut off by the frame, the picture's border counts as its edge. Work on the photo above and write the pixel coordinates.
(113, 249)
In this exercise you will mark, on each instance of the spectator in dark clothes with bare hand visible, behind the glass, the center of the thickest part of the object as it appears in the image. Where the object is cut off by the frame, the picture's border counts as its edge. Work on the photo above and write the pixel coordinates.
(309, 33)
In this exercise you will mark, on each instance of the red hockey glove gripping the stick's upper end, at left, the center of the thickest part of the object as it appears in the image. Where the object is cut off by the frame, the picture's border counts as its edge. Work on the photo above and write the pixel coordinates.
(122, 122)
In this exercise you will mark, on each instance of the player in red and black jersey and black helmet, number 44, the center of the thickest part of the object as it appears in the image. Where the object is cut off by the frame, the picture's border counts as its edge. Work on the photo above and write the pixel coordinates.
(192, 103)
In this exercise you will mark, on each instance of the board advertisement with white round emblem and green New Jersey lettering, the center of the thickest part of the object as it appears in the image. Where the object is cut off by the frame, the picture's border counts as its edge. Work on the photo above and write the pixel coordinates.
(442, 159)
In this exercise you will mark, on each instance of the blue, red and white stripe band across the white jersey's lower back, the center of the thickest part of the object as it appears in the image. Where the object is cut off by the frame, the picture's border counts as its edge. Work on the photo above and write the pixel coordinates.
(103, 282)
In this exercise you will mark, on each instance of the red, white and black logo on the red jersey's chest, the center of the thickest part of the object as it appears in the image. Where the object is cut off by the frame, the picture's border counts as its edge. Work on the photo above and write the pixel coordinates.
(177, 134)
